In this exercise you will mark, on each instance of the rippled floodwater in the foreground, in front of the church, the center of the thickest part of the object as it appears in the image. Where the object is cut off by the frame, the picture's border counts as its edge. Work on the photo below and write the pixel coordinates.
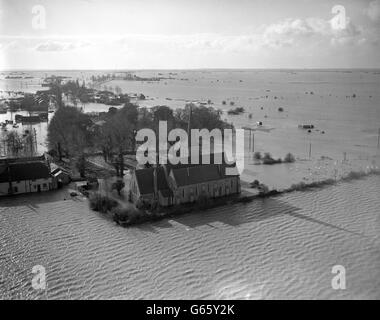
(284, 247)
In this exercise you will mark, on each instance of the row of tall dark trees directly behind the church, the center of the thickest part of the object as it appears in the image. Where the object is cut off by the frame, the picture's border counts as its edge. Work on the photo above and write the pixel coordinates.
(74, 134)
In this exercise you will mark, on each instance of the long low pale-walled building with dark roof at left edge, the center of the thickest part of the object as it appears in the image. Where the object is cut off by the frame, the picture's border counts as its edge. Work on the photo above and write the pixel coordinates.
(24, 177)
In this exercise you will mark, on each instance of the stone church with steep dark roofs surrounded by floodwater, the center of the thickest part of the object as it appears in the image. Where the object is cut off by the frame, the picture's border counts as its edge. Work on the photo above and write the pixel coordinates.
(183, 183)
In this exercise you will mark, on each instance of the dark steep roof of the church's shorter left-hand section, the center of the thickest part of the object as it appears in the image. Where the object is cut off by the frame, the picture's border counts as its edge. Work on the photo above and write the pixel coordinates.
(145, 181)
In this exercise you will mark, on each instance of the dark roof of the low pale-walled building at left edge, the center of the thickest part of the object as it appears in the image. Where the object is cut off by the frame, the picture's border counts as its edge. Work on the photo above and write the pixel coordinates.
(24, 171)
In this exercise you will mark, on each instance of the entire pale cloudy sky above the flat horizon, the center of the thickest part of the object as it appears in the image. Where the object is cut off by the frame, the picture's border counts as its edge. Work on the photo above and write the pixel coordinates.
(146, 34)
